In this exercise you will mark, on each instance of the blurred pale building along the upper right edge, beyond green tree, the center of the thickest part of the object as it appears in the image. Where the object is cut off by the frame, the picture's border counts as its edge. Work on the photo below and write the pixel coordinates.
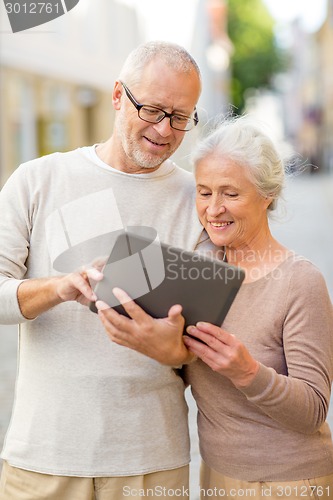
(307, 91)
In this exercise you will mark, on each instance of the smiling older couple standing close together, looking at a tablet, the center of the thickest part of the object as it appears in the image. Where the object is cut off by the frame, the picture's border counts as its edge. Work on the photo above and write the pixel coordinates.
(103, 417)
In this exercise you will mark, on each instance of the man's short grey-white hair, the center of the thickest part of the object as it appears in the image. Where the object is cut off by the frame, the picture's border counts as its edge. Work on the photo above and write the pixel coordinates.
(173, 55)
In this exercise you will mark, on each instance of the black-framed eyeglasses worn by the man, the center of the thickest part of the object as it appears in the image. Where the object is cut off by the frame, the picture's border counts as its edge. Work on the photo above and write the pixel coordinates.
(151, 114)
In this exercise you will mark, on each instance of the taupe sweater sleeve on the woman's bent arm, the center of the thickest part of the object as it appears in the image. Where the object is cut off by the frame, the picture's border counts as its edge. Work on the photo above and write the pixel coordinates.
(300, 400)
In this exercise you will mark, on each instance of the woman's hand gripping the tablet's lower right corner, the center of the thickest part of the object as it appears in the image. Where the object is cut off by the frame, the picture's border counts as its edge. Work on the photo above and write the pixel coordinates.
(223, 352)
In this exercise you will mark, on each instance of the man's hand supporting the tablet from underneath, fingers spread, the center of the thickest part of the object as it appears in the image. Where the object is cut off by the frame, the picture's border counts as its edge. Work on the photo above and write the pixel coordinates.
(160, 339)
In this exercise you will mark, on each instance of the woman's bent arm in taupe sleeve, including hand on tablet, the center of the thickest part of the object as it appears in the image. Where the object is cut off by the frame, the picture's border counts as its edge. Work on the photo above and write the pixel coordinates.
(300, 399)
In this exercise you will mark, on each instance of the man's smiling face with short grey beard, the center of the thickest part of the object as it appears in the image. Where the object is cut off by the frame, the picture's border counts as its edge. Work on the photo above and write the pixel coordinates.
(144, 145)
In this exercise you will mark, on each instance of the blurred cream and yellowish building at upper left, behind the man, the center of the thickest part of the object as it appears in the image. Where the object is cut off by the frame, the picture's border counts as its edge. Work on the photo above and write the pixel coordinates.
(56, 80)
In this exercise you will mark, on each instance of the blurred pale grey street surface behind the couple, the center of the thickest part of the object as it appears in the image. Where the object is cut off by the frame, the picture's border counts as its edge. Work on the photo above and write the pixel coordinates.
(306, 227)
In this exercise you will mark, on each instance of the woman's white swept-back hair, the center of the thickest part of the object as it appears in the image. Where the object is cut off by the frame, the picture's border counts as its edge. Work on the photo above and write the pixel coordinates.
(242, 141)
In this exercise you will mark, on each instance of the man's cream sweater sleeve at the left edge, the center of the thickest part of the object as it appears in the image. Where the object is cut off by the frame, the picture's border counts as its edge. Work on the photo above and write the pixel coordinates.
(15, 230)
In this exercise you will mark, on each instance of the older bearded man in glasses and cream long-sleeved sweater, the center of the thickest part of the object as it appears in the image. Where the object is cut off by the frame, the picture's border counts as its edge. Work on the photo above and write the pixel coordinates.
(92, 419)
